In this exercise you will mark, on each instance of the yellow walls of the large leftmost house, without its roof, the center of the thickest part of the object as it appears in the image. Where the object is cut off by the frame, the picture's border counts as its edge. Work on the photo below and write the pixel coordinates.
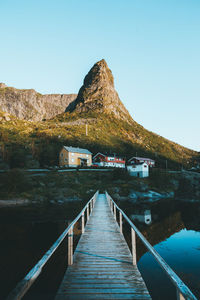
(71, 159)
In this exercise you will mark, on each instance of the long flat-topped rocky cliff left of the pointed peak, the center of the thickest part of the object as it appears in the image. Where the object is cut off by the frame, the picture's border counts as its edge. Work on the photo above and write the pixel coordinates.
(32, 106)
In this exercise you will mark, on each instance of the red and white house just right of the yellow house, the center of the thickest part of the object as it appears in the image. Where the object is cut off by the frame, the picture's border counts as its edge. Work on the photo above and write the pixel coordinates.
(109, 161)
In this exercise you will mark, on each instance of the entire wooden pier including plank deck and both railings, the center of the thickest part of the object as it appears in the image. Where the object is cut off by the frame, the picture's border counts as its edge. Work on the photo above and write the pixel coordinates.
(102, 266)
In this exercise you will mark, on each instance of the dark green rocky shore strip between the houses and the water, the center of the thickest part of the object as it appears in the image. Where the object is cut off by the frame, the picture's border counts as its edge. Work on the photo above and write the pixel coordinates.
(53, 187)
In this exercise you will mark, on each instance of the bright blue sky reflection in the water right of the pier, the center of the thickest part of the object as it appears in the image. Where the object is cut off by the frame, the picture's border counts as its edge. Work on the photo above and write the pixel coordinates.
(182, 252)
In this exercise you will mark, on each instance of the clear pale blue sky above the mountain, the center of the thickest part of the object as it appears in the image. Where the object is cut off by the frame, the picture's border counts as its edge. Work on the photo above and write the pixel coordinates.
(151, 46)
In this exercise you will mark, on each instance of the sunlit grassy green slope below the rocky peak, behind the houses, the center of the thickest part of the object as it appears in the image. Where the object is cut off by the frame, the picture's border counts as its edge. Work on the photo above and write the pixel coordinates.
(43, 140)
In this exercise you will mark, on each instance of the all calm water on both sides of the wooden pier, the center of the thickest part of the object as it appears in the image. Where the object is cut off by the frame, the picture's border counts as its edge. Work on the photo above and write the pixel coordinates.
(174, 232)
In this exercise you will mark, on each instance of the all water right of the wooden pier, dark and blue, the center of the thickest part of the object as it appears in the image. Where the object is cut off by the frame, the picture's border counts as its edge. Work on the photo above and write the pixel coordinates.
(175, 235)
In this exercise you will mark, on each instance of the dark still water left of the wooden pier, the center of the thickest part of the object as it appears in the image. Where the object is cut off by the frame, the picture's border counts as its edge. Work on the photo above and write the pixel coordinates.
(25, 235)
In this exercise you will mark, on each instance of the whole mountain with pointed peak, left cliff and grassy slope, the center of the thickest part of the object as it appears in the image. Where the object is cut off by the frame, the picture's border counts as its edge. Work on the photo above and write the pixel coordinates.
(110, 128)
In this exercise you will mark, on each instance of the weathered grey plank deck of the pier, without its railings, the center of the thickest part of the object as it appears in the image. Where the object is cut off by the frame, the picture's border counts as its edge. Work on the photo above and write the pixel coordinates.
(103, 267)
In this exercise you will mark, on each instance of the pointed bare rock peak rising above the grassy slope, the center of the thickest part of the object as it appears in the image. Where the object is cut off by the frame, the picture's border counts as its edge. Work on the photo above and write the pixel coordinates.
(98, 93)
